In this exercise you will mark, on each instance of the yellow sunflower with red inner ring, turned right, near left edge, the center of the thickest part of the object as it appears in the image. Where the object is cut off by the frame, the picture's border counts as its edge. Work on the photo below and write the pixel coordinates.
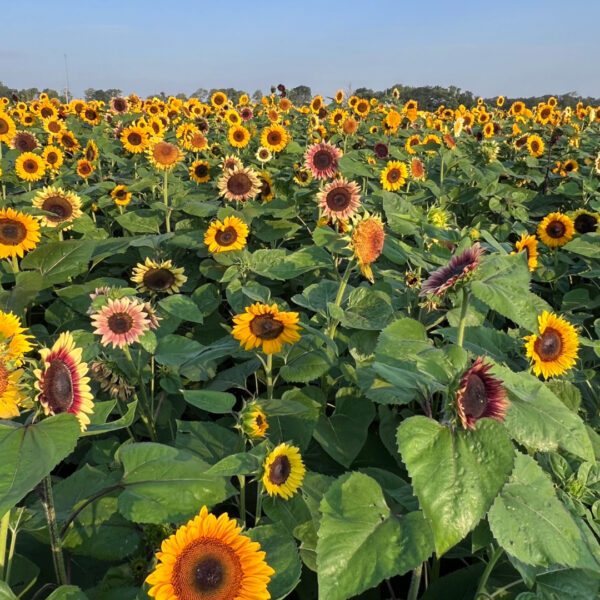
(62, 383)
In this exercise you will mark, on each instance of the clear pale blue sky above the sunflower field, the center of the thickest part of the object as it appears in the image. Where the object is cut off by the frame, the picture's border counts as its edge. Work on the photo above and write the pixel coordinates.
(509, 47)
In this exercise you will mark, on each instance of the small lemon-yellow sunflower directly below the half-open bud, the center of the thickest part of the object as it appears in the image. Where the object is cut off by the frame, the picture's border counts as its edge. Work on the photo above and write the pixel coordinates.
(283, 471)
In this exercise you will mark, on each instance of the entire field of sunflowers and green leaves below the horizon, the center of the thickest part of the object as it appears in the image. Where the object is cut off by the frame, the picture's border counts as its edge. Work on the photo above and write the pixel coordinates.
(347, 349)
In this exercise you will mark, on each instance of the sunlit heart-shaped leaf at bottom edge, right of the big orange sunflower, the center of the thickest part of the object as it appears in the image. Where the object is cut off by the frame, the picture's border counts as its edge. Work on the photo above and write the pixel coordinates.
(361, 543)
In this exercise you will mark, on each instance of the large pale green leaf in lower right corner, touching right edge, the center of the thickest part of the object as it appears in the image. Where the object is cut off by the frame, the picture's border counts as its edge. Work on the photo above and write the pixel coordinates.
(531, 524)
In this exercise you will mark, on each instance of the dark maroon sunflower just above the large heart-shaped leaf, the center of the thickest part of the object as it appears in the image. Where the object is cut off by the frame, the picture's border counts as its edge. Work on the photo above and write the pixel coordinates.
(480, 395)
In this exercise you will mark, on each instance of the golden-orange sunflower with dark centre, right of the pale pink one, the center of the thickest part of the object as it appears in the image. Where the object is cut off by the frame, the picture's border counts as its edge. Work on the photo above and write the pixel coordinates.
(266, 326)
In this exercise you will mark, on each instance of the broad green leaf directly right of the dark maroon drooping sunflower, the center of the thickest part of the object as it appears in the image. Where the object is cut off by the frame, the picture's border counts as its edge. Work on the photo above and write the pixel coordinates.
(539, 420)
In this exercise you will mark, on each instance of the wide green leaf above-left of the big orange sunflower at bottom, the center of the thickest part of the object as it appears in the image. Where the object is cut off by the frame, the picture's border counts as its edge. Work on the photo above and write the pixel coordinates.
(154, 471)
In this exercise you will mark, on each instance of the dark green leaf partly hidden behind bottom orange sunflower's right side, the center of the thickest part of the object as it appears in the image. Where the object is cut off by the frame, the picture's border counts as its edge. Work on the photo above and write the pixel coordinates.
(282, 556)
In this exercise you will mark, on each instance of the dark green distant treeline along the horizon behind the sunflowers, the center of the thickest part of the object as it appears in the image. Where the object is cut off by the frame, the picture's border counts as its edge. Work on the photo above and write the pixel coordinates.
(428, 97)
